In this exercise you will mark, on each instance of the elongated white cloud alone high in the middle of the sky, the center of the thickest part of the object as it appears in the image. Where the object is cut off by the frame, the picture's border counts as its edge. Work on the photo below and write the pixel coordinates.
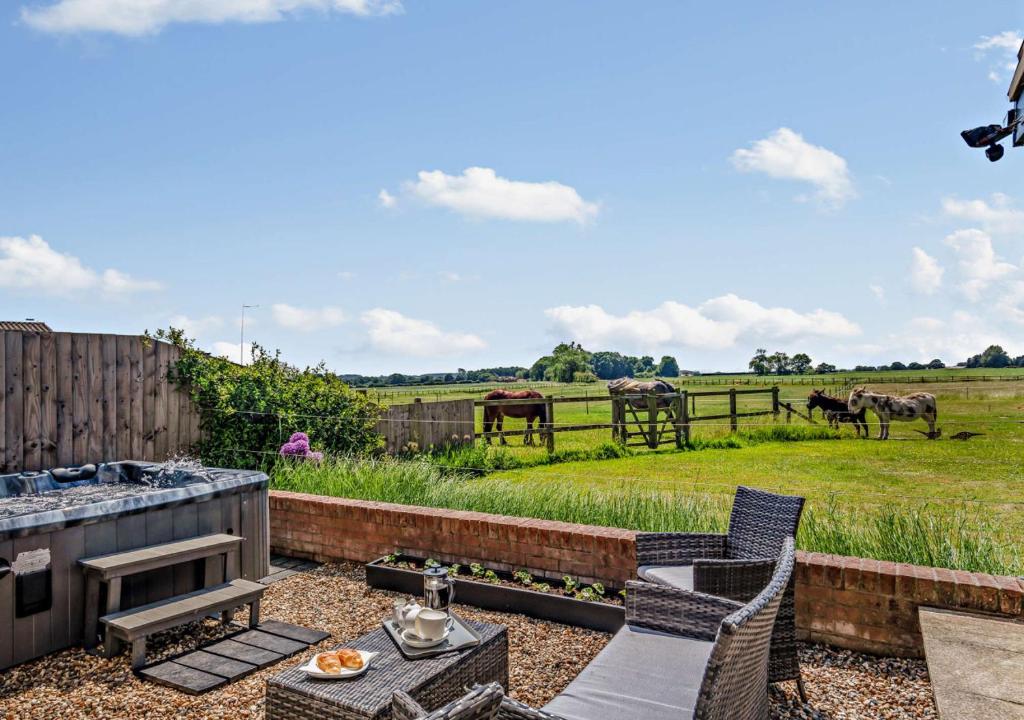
(481, 193)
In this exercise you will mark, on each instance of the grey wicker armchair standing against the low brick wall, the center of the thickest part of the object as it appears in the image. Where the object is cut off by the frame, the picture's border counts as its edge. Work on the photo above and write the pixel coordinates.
(737, 566)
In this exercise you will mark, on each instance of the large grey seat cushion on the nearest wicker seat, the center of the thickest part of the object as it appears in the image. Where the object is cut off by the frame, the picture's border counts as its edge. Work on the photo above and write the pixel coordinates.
(641, 675)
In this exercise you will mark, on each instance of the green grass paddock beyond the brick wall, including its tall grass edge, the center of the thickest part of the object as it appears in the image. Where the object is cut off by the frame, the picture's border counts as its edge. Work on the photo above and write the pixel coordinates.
(945, 503)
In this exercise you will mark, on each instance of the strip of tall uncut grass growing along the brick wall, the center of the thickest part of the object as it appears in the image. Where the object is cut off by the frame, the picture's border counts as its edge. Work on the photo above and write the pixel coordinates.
(922, 535)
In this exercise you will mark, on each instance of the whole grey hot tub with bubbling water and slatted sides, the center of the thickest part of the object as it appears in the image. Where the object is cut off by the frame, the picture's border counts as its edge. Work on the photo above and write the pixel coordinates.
(51, 520)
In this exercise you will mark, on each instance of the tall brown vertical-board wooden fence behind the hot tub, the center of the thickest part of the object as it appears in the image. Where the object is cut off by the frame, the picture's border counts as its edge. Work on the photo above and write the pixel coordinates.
(72, 399)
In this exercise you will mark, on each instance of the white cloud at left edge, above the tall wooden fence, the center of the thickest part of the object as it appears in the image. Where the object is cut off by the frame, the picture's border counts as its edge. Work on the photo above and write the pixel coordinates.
(32, 264)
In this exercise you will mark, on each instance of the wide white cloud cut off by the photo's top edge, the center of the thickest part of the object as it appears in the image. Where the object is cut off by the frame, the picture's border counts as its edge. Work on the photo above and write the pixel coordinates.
(137, 18)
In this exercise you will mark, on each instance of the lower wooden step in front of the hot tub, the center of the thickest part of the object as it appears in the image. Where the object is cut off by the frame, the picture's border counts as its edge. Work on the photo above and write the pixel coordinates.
(136, 625)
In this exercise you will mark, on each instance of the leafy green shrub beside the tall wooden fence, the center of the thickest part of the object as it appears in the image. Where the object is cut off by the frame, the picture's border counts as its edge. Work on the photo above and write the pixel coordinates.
(248, 412)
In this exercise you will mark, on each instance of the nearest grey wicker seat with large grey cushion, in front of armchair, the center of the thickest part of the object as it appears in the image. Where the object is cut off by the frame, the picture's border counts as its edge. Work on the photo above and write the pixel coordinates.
(722, 679)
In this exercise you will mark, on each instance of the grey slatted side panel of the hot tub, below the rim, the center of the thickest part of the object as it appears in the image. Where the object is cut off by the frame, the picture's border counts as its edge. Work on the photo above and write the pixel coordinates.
(242, 514)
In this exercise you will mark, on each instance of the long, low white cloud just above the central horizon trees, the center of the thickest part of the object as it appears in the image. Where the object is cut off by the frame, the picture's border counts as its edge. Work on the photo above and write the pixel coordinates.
(717, 324)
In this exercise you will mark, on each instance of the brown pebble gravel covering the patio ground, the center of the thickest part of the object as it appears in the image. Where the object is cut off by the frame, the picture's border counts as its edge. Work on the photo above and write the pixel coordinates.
(544, 658)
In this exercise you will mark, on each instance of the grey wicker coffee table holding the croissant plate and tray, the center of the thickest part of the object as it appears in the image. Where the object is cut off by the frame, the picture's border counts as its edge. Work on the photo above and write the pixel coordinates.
(432, 683)
